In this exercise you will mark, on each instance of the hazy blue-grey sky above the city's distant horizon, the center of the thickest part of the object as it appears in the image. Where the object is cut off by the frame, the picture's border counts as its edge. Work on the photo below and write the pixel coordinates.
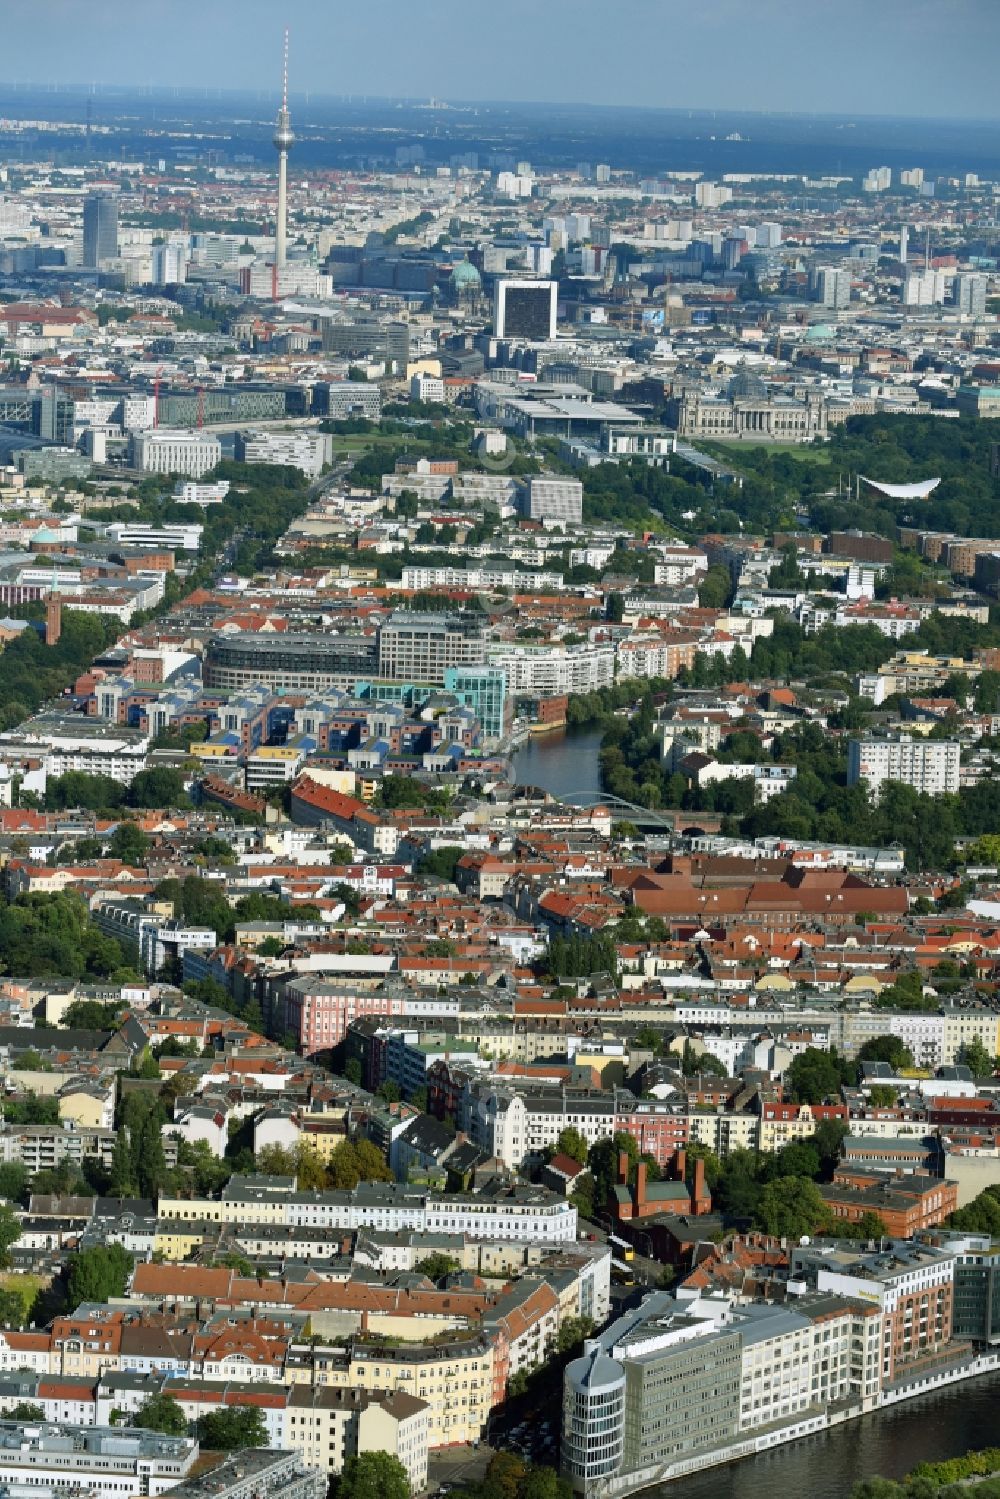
(917, 58)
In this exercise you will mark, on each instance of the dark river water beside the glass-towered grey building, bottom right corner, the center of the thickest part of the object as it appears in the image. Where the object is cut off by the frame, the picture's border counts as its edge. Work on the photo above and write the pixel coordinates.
(828, 1465)
